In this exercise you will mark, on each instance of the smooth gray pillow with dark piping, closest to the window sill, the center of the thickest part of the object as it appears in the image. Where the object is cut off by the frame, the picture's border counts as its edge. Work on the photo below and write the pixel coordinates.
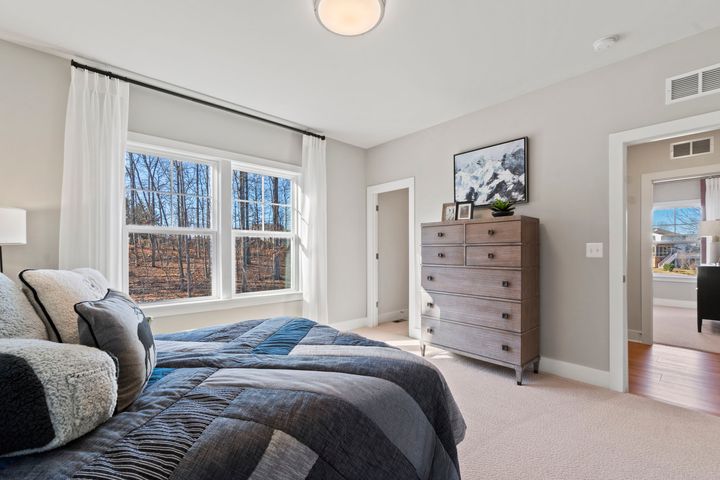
(116, 325)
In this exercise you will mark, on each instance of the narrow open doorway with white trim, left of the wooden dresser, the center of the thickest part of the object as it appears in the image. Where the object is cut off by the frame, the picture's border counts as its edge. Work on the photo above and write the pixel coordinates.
(392, 260)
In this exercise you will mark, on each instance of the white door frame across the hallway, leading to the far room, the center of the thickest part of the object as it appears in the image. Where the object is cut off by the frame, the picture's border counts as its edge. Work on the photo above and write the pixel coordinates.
(648, 179)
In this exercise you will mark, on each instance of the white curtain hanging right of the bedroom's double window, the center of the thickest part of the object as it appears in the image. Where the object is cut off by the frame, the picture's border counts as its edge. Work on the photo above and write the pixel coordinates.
(313, 230)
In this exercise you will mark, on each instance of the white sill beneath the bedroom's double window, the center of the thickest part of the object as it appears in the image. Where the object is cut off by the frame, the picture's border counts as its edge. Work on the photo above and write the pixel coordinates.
(215, 304)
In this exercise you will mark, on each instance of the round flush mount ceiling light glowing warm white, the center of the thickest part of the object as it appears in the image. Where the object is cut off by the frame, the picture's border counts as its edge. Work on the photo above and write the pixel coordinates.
(349, 18)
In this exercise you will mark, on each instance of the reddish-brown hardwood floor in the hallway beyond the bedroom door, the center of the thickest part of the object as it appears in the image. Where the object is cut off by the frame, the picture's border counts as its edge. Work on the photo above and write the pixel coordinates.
(684, 377)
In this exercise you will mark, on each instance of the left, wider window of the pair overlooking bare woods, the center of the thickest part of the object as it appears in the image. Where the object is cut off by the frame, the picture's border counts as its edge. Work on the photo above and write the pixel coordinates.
(172, 237)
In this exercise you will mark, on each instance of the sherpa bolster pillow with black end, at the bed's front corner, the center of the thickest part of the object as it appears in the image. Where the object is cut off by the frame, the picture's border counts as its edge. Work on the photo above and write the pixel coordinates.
(52, 393)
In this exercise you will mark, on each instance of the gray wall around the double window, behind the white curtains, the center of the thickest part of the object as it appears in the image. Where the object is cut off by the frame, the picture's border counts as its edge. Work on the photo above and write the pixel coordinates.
(32, 111)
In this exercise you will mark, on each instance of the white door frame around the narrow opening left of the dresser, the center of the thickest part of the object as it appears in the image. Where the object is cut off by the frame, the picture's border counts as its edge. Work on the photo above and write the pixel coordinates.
(372, 249)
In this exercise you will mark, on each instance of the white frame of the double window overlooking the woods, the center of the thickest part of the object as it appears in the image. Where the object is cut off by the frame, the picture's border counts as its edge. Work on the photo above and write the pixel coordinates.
(223, 256)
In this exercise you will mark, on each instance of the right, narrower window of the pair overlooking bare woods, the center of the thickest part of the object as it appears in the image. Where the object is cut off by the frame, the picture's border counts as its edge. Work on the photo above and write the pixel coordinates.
(263, 239)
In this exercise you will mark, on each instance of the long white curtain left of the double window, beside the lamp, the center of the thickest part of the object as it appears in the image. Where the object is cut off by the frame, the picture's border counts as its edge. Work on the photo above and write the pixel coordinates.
(91, 211)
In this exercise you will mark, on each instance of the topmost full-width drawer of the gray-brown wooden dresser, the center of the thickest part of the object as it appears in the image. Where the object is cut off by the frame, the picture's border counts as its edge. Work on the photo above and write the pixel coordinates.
(473, 281)
